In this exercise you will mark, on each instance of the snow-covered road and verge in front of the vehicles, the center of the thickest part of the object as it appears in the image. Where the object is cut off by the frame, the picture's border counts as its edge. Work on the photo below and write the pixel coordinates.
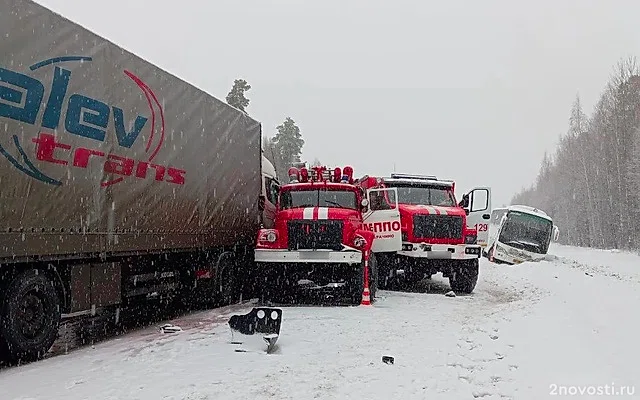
(572, 323)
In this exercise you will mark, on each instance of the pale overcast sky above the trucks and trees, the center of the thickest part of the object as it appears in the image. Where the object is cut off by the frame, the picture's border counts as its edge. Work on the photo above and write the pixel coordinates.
(473, 91)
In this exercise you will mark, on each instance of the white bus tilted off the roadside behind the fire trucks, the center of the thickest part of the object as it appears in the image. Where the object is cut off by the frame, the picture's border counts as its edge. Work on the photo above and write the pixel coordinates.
(518, 234)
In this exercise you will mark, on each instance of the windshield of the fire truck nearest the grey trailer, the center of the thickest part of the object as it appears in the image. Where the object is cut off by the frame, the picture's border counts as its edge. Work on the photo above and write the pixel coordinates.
(318, 198)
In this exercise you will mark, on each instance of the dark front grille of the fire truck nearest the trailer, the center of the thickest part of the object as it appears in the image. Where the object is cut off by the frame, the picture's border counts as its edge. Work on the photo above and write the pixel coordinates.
(322, 234)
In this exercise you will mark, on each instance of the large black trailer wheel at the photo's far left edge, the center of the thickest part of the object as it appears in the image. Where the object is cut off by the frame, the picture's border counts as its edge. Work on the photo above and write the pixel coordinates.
(29, 316)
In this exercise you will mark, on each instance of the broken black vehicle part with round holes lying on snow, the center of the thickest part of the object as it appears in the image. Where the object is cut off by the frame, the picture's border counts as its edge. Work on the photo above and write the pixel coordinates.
(254, 330)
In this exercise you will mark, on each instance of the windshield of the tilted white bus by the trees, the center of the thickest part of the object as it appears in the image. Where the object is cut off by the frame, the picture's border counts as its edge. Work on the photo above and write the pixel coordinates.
(526, 232)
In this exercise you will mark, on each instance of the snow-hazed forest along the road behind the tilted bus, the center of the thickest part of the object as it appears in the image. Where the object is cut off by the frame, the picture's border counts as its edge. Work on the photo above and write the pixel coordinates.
(591, 185)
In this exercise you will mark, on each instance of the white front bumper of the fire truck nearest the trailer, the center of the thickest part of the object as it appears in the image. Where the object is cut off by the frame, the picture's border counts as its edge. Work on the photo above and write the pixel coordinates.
(307, 256)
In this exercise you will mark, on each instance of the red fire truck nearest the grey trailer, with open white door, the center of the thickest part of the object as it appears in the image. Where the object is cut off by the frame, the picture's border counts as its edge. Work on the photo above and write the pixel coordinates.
(323, 224)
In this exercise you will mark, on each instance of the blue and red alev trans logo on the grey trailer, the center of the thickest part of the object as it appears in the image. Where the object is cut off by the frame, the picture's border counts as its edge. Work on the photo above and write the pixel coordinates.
(32, 119)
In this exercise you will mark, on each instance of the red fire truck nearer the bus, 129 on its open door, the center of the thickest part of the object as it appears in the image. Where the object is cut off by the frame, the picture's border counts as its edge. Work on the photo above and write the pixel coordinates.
(438, 233)
